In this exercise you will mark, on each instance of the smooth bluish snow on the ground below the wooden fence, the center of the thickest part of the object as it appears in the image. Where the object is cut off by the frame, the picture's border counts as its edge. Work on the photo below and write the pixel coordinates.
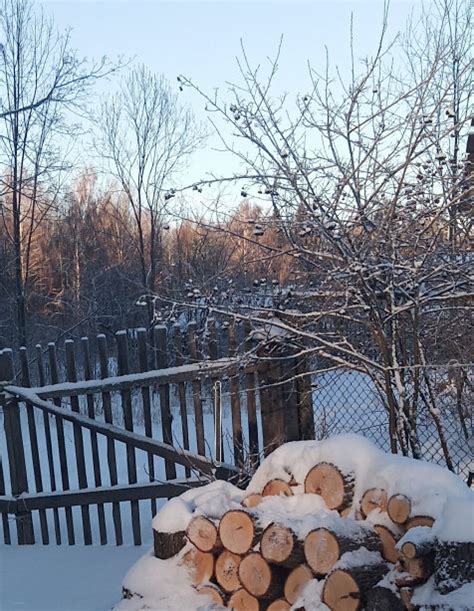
(62, 578)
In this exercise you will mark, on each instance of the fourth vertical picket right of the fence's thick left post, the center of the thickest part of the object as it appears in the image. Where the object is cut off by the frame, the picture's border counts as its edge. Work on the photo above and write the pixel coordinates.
(78, 440)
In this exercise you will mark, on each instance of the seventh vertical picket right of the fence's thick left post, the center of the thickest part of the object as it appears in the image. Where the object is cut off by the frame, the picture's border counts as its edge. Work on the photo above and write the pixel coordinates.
(124, 369)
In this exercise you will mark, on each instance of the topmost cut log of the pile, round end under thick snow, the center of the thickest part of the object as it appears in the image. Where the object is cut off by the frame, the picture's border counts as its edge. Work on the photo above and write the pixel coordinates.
(327, 480)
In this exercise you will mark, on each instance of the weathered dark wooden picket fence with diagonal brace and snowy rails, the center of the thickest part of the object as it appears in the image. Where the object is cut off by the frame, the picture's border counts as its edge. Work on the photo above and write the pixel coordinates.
(74, 424)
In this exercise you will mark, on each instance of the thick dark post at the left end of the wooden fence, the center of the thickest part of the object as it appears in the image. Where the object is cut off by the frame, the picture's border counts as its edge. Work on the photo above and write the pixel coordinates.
(16, 451)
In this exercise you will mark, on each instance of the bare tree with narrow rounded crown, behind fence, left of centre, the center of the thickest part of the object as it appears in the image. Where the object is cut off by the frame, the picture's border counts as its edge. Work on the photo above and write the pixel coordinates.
(147, 138)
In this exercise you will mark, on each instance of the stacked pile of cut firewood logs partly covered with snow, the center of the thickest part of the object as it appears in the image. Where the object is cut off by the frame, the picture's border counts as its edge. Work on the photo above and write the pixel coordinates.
(369, 550)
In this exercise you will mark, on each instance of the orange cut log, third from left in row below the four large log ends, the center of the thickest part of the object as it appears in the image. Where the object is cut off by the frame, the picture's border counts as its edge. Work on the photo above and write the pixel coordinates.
(259, 578)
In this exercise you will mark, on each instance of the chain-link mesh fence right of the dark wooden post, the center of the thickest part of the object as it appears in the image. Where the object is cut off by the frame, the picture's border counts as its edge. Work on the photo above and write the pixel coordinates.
(345, 400)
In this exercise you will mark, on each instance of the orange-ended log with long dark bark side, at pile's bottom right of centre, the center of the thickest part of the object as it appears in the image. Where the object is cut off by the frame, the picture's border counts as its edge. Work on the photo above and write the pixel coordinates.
(344, 589)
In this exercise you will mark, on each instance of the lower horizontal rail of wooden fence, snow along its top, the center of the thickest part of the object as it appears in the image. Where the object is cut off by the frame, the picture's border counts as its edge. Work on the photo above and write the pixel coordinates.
(92, 496)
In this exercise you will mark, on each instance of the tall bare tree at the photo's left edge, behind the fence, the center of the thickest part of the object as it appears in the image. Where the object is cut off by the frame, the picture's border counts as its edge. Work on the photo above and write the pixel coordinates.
(41, 78)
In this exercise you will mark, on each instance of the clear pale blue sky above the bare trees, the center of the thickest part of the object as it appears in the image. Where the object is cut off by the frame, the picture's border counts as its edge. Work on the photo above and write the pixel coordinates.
(201, 39)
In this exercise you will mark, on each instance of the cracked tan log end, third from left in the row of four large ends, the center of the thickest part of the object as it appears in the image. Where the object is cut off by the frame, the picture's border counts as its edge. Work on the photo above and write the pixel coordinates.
(280, 545)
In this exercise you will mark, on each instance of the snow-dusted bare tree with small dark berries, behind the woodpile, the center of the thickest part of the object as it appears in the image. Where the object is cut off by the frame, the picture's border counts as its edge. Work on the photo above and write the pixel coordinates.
(365, 179)
